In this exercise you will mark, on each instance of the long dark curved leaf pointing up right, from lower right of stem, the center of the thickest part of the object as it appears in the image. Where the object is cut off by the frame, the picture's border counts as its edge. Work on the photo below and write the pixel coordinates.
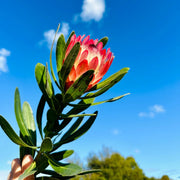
(82, 130)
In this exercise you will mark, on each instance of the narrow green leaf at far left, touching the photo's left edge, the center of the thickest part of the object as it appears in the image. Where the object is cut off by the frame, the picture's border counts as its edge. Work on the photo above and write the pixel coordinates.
(11, 133)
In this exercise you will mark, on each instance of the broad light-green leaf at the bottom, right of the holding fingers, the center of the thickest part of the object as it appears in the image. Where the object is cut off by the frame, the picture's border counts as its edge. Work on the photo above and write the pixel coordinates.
(65, 169)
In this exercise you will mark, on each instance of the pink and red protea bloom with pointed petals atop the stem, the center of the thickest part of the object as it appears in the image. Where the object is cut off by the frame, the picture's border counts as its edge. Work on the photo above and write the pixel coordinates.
(91, 56)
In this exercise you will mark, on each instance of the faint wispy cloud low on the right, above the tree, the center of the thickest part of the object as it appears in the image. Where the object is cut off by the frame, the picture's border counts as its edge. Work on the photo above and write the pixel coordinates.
(153, 110)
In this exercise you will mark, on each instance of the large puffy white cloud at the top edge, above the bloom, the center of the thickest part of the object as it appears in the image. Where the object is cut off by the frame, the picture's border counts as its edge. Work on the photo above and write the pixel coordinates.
(92, 10)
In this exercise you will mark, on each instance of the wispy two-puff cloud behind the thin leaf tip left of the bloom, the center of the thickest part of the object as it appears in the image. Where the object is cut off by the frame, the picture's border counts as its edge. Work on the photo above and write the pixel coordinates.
(50, 34)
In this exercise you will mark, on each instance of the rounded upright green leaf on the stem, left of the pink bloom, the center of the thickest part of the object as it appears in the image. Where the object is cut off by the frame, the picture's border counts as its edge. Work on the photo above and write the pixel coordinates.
(44, 80)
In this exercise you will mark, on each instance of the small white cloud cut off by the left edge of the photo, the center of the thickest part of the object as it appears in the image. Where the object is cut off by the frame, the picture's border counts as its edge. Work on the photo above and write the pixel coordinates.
(3, 59)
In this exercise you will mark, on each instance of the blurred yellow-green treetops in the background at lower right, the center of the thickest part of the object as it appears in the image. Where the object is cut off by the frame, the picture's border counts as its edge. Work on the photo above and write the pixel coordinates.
(113, 166)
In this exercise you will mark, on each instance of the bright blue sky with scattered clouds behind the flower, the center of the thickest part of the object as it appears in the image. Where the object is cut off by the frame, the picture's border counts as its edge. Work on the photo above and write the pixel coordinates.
(143, 35)
